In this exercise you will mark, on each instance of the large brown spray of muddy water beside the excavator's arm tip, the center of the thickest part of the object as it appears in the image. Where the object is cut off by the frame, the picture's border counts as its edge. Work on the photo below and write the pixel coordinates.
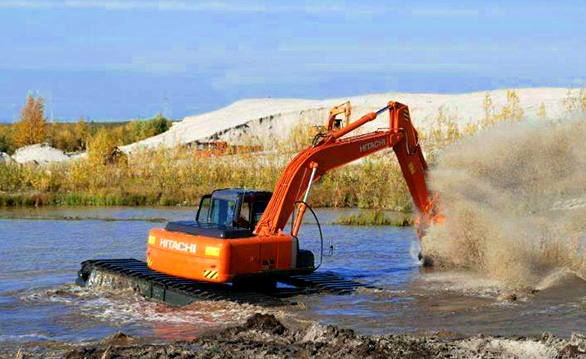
(515, 200)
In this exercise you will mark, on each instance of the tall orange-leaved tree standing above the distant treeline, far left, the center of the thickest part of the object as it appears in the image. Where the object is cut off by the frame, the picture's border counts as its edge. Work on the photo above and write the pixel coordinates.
(32, 126)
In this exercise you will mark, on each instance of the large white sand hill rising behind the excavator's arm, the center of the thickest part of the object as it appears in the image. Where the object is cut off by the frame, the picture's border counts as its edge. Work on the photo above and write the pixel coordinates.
(267, 118)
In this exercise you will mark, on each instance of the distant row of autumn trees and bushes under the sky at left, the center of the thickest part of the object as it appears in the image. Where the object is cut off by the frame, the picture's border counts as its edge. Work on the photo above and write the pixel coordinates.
(33, 128)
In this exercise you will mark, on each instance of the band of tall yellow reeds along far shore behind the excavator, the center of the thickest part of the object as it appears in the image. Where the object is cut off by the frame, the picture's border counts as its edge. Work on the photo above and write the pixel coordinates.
(181, 177)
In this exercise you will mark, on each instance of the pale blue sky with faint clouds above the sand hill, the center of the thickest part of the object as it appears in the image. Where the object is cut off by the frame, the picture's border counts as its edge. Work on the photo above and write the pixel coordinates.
(111, 60)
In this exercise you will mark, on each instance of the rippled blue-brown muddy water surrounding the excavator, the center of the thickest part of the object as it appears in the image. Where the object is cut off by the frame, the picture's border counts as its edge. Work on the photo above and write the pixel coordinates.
(41, 250)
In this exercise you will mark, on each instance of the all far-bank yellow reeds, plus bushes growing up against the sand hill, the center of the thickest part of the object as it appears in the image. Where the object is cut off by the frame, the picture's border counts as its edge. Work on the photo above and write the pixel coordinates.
(180, 176)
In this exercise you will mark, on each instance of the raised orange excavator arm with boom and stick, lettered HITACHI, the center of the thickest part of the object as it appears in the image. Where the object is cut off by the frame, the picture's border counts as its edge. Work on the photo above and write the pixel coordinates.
(332, 150)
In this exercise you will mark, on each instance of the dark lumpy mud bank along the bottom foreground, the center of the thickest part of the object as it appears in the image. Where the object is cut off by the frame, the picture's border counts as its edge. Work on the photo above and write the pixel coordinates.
(264, 336)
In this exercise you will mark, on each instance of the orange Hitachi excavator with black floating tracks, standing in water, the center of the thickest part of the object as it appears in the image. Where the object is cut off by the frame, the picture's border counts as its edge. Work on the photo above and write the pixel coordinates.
(239, 236)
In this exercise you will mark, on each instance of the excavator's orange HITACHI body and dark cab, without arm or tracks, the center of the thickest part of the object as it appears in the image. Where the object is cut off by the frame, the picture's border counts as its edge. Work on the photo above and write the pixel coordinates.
(219, 244)
